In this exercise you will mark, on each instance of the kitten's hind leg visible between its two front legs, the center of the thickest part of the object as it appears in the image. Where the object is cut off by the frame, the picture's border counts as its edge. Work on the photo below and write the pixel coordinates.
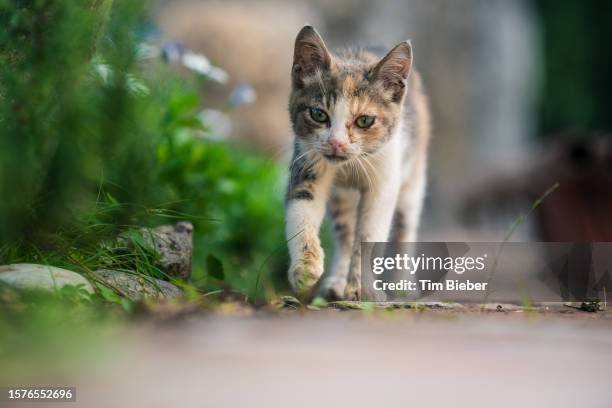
(342, 208)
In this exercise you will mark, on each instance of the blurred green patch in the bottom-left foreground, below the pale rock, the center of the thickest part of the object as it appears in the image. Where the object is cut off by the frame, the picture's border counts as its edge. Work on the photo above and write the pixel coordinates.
(49, 335)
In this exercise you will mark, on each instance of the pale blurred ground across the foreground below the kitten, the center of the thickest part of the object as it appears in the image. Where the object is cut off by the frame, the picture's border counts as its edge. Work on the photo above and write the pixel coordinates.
(330, 358)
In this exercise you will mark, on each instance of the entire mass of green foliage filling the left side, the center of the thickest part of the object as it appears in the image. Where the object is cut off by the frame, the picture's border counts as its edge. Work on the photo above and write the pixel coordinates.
(94, 141)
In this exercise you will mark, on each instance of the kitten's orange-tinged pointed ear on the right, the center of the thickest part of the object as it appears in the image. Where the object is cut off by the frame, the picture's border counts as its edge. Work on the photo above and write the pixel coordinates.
(392, 71)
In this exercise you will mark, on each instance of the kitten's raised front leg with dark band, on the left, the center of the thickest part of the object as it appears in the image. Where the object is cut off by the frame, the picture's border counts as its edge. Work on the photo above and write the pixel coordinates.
(306, 198)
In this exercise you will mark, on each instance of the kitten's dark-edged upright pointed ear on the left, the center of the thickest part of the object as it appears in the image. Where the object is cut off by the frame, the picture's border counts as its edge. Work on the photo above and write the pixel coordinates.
(310, 55)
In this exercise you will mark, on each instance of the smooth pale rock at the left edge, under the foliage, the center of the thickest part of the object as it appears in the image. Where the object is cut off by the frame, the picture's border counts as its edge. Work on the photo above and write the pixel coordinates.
(41, 277)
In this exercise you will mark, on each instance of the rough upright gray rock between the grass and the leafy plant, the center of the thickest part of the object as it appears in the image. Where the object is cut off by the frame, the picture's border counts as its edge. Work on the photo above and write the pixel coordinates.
(174, 243)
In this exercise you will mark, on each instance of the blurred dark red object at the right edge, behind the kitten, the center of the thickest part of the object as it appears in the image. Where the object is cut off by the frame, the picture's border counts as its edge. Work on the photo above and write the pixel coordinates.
(580, 209)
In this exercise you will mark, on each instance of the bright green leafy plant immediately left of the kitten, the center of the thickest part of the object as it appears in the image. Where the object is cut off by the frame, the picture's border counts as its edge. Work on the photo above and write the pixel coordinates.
(239, 193)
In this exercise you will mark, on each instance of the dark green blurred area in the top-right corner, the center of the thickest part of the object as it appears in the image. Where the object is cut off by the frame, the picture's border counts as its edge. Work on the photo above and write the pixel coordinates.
(578, 62)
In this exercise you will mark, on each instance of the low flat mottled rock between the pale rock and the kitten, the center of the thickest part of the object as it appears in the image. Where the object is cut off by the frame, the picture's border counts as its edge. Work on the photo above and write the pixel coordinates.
(137, 287)
